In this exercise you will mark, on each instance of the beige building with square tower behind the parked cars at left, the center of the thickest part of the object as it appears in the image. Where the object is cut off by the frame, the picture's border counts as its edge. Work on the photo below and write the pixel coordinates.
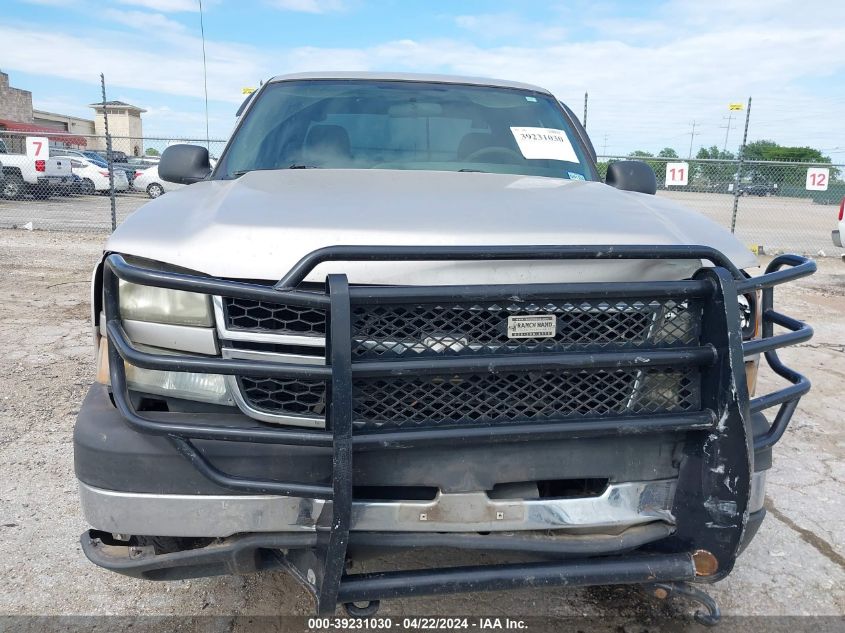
(17, 115)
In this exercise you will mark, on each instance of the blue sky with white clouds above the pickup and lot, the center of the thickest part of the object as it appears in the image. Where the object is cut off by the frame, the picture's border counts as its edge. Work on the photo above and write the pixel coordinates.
(651, 67)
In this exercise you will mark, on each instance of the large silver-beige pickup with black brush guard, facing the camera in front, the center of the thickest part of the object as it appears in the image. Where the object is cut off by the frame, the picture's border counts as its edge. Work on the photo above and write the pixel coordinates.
(403, 312)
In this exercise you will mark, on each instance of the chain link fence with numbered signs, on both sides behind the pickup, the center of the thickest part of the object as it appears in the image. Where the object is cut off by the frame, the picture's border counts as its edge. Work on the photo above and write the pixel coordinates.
(772, 207)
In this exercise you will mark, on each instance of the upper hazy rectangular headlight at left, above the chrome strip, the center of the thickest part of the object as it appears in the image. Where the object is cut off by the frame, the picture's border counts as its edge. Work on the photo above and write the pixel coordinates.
(162, 305)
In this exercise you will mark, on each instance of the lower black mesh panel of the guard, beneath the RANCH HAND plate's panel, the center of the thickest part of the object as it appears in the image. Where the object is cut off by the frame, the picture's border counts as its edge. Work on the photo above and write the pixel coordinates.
(524, 396)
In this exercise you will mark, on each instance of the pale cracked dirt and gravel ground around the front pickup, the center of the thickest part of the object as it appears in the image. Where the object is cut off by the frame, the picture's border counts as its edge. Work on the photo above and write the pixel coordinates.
(795, 566)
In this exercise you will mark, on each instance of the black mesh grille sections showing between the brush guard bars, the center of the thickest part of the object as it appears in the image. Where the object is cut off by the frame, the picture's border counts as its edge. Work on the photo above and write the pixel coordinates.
(406, 331)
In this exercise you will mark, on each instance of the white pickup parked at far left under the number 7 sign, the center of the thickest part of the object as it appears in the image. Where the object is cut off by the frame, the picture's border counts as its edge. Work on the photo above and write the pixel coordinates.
(37, 174)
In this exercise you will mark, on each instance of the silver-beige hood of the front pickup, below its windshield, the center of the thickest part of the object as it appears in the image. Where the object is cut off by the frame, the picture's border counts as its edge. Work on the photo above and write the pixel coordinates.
(259, 225)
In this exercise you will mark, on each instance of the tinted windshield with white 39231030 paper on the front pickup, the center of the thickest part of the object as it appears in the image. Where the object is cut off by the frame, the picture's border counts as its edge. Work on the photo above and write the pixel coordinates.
(357, 124)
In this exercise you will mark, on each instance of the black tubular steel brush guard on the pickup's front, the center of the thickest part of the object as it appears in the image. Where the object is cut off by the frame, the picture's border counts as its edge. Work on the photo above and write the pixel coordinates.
(714, 479)
